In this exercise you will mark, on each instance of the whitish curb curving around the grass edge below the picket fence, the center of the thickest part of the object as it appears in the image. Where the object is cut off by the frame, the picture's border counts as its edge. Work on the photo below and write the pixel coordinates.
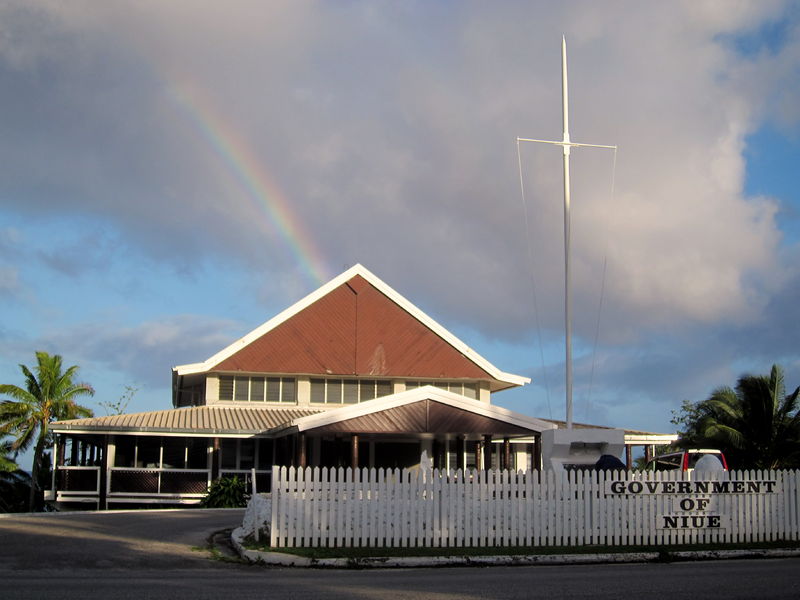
(280, 559)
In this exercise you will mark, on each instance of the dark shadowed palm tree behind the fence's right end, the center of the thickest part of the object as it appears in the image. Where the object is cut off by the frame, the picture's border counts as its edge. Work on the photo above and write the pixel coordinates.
(756, 425)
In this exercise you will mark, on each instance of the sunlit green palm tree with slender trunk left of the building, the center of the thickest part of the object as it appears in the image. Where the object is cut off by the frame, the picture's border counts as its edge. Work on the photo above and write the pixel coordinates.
(49, 395)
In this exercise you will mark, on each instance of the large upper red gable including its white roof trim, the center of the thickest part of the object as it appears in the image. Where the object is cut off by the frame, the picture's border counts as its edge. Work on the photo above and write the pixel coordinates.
(355, 325)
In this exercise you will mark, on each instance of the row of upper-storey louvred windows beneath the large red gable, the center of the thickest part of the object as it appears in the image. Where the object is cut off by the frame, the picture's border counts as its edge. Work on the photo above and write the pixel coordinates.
(242, 388)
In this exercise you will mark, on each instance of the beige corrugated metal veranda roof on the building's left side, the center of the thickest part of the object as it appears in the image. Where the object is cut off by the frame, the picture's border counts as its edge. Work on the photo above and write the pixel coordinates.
(195, 420)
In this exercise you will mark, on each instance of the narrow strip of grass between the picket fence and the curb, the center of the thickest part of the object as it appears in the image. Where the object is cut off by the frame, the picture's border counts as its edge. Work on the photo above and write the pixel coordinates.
(664, 551)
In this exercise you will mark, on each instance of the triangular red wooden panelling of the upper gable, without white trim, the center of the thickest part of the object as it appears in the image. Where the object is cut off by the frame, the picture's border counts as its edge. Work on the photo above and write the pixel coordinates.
(353, 330)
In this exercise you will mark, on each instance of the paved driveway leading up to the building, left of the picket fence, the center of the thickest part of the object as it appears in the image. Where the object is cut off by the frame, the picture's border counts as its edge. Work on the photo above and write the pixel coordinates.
(144, 539)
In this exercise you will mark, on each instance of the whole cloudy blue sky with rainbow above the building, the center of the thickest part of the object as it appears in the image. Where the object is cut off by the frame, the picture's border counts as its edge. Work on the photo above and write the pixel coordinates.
(173, 174)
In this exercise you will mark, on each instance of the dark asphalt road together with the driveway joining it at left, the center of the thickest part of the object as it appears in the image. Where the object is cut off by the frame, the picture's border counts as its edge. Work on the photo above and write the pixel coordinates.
(150, 555)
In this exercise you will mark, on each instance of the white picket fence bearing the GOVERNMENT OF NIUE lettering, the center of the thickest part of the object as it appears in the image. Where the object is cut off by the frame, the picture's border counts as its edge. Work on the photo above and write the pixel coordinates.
(438, 508)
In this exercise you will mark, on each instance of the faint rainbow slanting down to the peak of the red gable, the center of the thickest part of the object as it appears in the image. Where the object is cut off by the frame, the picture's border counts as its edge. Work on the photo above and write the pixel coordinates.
(268, 198)
